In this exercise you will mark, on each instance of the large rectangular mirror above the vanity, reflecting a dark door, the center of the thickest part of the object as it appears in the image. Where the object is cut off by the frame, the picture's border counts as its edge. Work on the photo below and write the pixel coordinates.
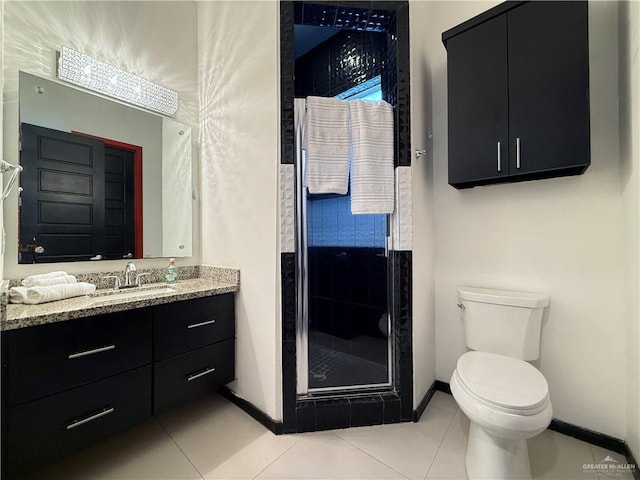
(101, 180)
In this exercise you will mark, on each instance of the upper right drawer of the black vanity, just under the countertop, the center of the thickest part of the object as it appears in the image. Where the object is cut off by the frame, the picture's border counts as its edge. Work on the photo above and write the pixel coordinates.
(183, 326)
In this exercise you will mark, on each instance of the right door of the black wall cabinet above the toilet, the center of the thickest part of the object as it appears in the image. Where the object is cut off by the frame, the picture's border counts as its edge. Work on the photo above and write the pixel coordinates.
(548, 87)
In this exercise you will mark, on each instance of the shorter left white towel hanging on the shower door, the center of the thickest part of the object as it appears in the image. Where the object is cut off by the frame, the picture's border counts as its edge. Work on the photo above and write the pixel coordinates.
(328, 145)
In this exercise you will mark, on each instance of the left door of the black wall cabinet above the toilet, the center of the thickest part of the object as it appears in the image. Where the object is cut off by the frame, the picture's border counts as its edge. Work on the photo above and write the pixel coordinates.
(478, 103)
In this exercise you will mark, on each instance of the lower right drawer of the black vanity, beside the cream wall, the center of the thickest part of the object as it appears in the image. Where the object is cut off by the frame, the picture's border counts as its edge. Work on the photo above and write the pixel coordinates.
(185, 376)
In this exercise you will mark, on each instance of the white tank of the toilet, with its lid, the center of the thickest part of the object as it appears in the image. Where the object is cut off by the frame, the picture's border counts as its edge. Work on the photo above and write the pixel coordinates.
(502, 321)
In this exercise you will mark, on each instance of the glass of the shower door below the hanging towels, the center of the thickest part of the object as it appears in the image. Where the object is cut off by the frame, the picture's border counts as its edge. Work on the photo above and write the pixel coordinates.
(348, 320)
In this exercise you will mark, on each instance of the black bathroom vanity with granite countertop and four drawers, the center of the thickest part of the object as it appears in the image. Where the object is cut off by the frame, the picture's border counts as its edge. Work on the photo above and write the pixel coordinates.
(78, 370)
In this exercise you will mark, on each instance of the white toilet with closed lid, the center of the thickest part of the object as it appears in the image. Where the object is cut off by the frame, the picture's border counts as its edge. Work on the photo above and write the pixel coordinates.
(505, 398)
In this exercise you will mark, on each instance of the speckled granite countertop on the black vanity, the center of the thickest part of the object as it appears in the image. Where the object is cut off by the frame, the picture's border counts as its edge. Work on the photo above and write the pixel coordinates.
(20, 315)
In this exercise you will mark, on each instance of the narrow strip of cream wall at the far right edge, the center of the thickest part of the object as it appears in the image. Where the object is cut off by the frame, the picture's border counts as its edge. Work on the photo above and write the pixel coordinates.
(629, 104)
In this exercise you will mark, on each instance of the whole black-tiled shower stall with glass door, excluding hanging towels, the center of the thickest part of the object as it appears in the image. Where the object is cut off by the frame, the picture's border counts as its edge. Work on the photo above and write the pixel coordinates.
(347, 352)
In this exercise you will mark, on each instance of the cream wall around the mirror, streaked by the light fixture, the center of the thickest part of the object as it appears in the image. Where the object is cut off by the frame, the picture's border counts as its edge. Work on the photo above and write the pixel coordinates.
(156, 40)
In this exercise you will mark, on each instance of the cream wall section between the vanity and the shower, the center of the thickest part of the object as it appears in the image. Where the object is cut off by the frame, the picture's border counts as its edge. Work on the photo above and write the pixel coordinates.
(239, 94)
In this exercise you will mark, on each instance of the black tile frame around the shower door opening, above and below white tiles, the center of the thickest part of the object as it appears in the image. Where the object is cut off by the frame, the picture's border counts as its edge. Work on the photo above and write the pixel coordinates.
(391, 17)
